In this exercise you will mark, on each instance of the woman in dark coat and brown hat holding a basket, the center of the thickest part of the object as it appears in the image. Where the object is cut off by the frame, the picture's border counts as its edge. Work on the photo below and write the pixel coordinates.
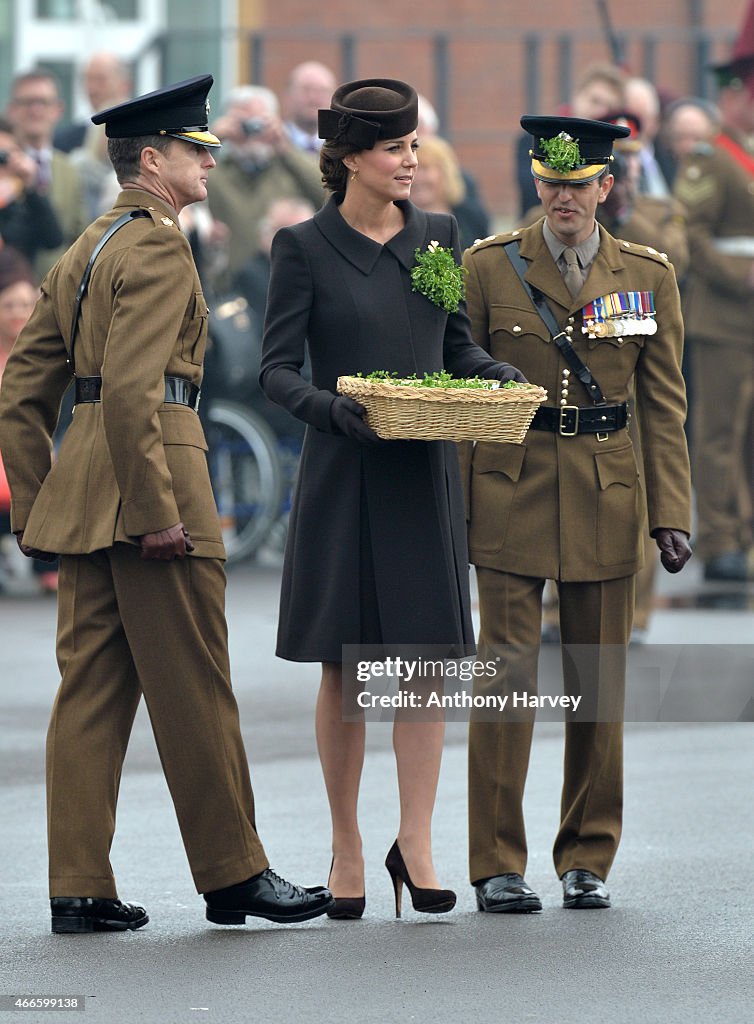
(376, 552)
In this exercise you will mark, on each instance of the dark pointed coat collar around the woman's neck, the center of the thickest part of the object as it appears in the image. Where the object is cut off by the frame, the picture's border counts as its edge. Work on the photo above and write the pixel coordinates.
(364, 252)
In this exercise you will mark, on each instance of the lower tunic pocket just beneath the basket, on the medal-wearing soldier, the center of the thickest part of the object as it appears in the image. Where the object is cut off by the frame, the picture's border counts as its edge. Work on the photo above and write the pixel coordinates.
(495, 474)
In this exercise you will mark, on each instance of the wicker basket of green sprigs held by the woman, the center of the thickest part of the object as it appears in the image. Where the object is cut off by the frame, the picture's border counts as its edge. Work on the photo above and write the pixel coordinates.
(400, 411)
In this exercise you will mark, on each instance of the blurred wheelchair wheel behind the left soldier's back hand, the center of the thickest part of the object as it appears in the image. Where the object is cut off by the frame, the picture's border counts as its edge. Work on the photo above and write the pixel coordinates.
(247, 477)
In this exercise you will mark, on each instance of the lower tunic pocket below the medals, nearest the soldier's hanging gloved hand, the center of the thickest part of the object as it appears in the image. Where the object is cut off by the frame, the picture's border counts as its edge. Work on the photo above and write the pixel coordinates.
(619, 509)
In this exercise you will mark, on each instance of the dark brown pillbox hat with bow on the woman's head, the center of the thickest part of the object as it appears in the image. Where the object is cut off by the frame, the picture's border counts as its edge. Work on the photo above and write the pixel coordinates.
(363, 112)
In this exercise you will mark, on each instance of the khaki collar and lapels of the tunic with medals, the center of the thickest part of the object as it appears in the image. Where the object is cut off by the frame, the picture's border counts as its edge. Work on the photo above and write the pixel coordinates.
(543, 273)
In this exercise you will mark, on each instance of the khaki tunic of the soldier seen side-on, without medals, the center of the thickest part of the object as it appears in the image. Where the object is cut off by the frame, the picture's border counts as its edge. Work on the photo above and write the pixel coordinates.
(132, 464)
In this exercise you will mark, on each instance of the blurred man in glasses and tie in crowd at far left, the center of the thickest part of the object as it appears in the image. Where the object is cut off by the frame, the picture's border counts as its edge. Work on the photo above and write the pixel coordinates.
(34, 110)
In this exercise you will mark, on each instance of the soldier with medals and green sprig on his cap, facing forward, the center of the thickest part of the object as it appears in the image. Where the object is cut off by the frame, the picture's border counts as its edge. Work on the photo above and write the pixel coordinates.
(594, 320)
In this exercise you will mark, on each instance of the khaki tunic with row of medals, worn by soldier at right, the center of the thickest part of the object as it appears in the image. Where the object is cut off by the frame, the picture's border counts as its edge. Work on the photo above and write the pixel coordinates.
(573, 508)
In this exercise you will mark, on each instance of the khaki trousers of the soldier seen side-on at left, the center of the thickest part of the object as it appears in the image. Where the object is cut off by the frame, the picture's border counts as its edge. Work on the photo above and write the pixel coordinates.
(127, 628)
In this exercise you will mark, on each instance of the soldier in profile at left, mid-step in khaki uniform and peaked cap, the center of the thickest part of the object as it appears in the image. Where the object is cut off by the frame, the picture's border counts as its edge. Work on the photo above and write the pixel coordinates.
(129, 507)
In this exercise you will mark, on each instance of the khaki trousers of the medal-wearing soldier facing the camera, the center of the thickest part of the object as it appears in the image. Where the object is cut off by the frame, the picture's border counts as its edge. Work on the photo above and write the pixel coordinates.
(596, 618)
